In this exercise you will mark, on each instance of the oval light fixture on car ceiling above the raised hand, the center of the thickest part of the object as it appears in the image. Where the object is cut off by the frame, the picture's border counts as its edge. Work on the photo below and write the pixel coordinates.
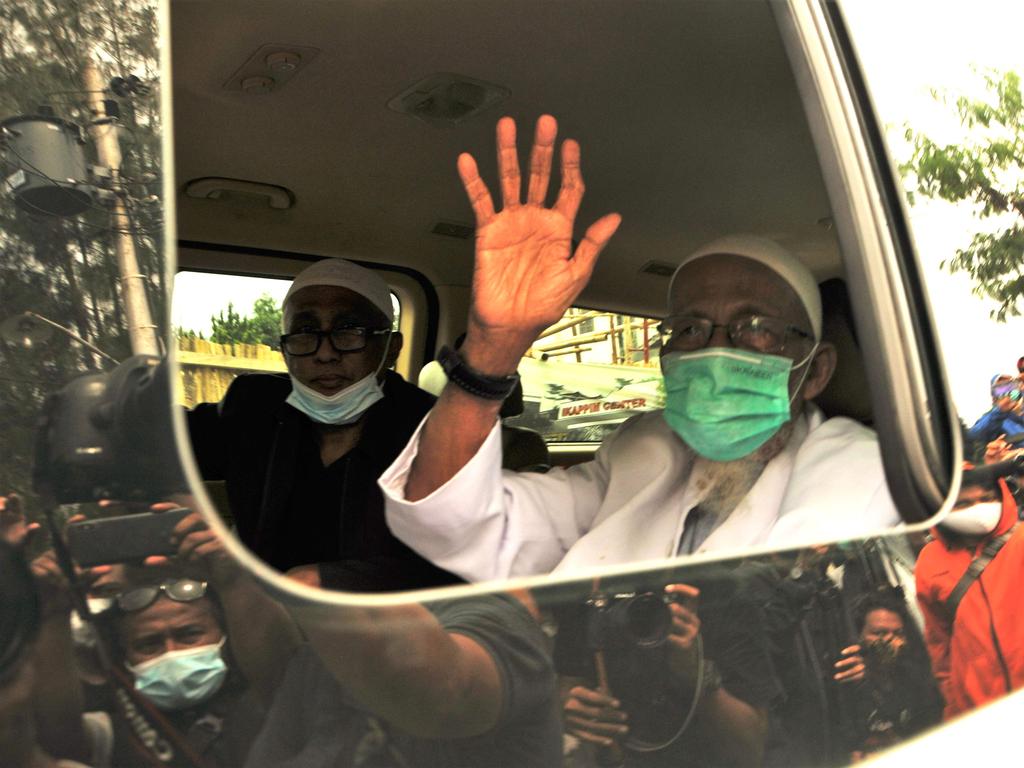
(448, 100)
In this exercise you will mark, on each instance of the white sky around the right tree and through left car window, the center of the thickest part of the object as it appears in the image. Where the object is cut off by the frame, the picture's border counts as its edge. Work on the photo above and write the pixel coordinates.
(908, 48)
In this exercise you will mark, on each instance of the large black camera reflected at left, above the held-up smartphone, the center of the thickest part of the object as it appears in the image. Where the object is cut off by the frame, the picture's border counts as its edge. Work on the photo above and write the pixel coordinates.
(109, 437)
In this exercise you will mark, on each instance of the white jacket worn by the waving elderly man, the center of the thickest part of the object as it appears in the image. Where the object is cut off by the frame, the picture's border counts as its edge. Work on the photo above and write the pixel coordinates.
(630, 503)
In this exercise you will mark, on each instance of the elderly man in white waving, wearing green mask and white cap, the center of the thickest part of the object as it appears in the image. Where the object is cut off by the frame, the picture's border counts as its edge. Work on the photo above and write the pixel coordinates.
(740, 457)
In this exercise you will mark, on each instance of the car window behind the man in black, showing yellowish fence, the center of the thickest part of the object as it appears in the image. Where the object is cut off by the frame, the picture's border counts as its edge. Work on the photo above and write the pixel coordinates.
(228, 325)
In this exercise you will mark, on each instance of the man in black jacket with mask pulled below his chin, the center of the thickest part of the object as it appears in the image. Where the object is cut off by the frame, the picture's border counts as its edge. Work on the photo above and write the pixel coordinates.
(301, 455)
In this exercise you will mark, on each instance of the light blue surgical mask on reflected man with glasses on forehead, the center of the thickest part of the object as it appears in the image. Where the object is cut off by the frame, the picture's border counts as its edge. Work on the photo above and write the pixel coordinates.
(181, 679)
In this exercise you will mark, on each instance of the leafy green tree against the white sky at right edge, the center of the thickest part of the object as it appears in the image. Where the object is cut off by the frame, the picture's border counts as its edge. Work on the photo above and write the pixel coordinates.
(988, 169)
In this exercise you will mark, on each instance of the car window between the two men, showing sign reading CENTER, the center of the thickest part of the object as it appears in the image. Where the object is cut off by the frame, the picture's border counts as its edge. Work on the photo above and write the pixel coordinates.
(588, 373)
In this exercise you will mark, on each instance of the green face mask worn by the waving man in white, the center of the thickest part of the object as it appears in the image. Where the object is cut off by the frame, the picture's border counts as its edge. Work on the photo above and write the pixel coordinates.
(727, 404)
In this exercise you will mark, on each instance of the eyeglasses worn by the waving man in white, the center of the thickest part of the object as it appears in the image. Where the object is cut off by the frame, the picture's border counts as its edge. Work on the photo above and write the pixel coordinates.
(756, 334)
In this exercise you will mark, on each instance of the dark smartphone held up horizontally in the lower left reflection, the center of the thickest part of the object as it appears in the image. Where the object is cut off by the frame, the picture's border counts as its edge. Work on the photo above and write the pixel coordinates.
(112, 540)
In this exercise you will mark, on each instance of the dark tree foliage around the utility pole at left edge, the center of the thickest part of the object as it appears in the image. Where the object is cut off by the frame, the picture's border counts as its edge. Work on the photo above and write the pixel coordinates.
(66, 270)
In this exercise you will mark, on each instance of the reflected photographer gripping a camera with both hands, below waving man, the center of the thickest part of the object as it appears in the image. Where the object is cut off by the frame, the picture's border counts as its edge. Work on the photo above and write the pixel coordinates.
(692, 692)
